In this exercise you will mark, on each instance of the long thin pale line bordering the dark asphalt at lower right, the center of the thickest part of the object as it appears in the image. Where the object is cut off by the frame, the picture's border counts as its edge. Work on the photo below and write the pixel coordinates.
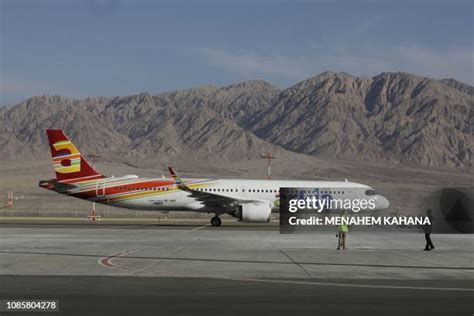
(399, 287)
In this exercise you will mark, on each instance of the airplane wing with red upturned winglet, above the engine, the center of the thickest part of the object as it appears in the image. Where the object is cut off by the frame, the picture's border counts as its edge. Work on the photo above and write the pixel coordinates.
(210, 199)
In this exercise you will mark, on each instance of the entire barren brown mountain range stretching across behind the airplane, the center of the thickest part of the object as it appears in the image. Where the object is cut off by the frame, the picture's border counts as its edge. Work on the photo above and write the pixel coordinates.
(392, 117)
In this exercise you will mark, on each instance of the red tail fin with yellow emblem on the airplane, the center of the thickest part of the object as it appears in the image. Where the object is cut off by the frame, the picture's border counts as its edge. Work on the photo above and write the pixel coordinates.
(68, 162)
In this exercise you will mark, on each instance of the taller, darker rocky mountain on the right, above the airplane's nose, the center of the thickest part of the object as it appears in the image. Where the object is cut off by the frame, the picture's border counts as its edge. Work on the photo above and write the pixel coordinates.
(393, 116)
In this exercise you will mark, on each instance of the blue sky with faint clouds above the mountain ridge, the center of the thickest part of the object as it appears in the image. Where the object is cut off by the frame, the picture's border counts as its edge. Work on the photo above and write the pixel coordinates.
(106, 47)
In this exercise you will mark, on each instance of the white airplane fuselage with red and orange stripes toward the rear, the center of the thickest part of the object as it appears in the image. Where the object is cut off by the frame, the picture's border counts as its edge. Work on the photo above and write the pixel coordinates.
(142, 194)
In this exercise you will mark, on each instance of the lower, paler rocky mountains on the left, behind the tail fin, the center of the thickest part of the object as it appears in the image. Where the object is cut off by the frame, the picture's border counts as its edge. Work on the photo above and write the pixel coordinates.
(197, 122)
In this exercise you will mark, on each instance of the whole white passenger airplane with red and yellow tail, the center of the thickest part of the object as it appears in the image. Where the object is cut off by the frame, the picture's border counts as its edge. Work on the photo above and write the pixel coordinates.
(246, 200)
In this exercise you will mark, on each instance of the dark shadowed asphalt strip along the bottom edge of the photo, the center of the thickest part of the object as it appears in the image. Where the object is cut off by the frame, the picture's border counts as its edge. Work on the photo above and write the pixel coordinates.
(207, 296)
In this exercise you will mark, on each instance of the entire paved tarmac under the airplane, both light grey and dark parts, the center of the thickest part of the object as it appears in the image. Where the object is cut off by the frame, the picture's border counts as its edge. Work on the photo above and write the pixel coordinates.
(201, 270)
